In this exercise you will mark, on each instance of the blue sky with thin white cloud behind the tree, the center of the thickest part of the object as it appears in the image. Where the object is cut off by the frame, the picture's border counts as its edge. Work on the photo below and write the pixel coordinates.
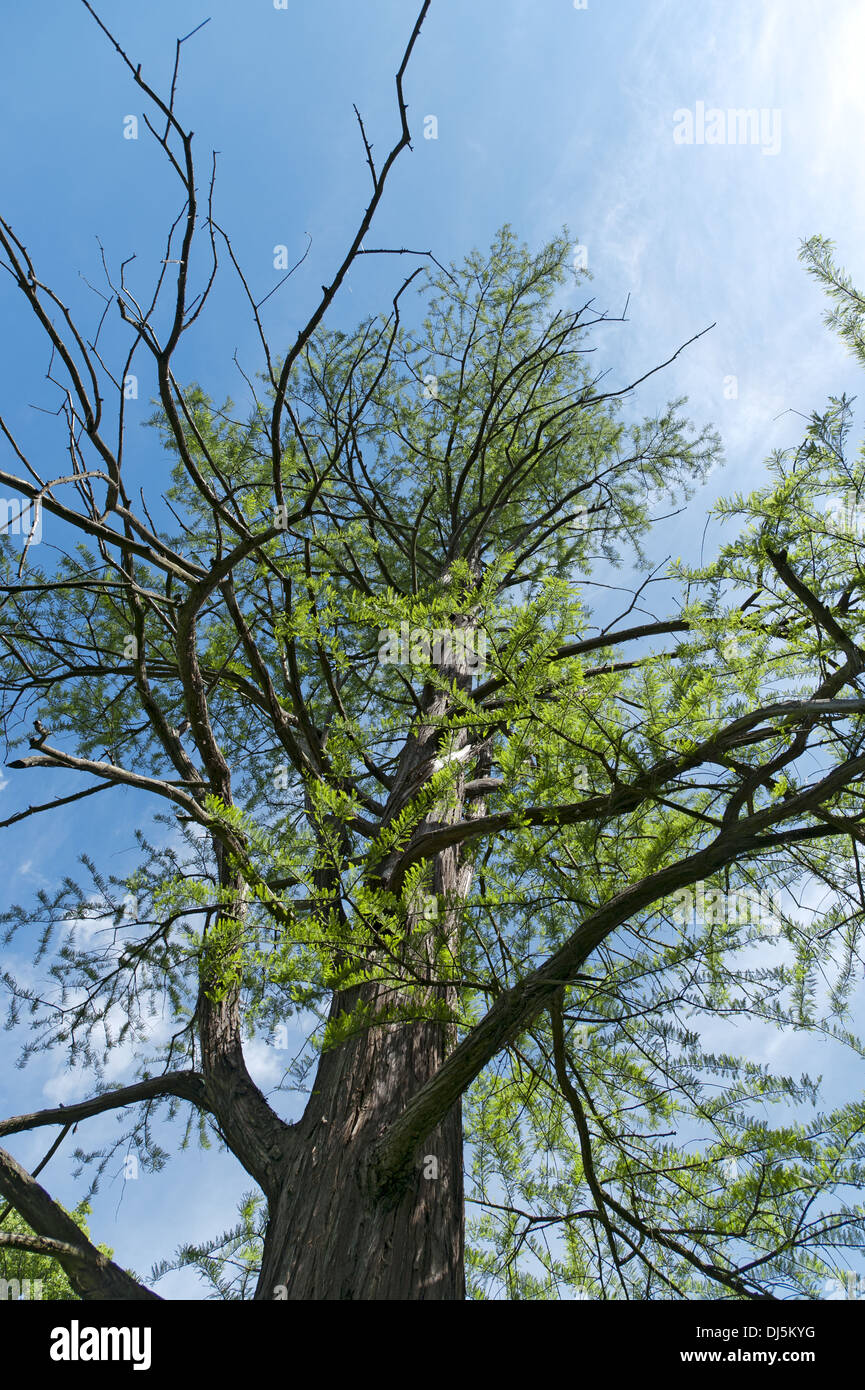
(547, 116)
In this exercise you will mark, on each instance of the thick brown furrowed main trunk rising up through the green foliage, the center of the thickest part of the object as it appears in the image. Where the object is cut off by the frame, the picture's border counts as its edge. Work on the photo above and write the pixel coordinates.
(330, 1235)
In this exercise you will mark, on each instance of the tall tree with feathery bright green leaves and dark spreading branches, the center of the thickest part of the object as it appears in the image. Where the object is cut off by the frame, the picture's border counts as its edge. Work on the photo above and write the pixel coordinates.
(512, 856)
